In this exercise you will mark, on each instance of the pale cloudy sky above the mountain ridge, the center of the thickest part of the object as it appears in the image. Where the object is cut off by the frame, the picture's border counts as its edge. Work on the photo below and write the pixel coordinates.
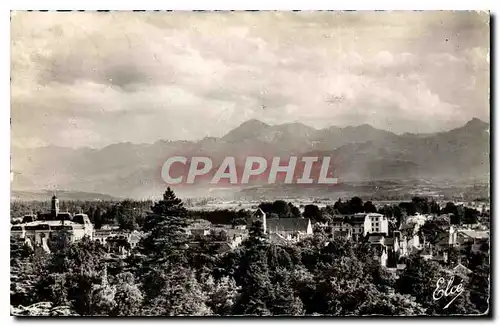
(93, 79)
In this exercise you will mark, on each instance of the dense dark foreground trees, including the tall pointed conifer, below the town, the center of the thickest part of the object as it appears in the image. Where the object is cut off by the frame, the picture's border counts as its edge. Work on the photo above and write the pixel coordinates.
(165, 276)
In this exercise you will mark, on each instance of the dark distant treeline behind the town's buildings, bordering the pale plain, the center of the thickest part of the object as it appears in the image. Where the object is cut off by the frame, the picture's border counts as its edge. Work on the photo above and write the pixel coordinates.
(131, 214)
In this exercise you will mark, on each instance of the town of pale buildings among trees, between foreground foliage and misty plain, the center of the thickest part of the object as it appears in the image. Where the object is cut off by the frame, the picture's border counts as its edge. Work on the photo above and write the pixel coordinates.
(443, 233)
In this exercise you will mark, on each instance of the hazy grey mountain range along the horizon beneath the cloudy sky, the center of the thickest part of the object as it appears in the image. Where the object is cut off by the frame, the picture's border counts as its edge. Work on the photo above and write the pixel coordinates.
(360, 153)
